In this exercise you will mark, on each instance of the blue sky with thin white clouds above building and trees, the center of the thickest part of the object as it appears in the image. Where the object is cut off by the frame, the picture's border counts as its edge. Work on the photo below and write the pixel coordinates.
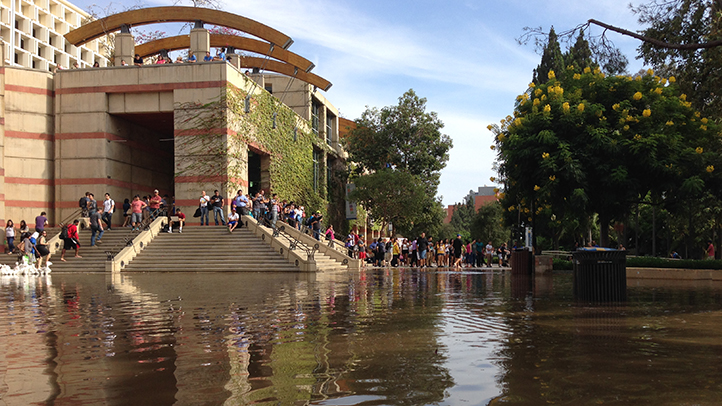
(461, 55)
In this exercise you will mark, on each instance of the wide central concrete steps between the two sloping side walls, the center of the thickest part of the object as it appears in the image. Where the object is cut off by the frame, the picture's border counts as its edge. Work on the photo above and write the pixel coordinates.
(208, 249)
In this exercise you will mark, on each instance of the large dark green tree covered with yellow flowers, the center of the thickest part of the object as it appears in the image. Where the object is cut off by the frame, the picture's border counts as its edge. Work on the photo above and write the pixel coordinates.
(626, 138)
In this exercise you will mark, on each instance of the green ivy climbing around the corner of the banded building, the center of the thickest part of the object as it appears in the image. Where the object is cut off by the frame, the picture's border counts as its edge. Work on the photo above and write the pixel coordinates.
(290, 144)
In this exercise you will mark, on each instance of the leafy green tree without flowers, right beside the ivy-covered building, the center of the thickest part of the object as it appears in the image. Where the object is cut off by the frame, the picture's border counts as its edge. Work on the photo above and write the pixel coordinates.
(399, 152)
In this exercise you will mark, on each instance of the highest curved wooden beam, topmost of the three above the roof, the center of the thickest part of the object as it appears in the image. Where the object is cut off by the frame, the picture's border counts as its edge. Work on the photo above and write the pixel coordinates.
(152, 15)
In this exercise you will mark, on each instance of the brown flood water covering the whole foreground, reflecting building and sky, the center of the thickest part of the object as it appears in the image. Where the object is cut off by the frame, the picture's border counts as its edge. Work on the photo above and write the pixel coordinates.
(376, 337)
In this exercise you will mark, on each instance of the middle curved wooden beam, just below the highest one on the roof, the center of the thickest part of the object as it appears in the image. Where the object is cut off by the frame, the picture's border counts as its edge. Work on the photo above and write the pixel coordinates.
(222, 40)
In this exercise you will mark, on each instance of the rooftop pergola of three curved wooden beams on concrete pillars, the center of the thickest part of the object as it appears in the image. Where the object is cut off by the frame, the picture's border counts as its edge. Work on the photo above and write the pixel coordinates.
(272, 43)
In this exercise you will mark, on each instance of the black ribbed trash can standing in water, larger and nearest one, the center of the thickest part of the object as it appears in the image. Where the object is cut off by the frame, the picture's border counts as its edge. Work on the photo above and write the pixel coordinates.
(600, 275)
